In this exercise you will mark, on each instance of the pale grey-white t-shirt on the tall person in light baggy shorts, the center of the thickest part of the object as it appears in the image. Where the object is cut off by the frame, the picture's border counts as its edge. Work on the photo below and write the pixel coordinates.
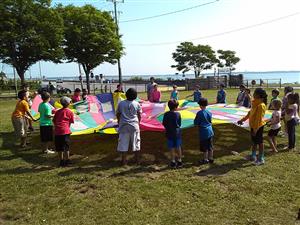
(129, 121)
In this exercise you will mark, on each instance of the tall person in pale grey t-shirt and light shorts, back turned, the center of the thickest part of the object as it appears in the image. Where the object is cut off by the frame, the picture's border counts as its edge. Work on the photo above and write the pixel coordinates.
(129, 117)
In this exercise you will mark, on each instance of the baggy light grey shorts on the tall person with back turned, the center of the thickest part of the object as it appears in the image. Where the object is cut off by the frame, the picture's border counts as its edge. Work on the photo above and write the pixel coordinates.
(129, 139)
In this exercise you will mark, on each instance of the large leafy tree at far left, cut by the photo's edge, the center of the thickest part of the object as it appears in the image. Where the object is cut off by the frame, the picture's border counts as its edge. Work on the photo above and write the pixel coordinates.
(30, 31)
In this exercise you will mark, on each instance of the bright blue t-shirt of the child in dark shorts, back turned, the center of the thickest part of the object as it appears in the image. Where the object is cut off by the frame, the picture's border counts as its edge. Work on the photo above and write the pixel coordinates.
(203, 120)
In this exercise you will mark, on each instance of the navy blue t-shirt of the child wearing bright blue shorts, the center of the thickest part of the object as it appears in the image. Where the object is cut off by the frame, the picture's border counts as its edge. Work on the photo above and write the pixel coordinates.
(172, 124)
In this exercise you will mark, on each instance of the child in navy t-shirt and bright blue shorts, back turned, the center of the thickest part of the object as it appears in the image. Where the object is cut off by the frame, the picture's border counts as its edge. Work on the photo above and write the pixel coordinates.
(172, 123)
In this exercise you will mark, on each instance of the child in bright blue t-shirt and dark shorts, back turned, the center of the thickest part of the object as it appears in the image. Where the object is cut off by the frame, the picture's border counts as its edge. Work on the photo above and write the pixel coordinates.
(203, 121)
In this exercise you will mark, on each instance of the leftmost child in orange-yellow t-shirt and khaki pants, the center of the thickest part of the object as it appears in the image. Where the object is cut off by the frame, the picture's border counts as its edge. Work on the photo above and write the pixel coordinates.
(19, 117)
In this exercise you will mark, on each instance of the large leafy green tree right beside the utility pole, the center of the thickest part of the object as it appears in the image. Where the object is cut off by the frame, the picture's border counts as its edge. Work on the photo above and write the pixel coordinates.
(90, 37)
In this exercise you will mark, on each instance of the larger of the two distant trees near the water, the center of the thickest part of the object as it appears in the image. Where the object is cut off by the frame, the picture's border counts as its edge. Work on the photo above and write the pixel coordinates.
(194, 57)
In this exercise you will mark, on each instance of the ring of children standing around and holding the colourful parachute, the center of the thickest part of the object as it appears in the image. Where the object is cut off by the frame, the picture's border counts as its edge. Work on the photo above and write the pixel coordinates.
(129, 112)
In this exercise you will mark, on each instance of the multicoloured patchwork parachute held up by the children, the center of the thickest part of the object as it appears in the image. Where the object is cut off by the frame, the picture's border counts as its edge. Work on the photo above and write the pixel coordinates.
(97, 114)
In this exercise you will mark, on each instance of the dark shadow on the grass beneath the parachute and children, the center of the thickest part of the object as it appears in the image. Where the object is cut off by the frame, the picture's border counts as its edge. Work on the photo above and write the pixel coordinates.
(95, 153)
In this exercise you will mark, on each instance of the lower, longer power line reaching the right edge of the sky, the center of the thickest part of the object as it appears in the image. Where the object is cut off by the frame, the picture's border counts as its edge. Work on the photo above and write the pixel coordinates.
(222, 33)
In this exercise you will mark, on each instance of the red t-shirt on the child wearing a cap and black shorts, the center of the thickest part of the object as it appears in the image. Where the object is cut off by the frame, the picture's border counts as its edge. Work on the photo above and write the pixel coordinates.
(62, 121)
